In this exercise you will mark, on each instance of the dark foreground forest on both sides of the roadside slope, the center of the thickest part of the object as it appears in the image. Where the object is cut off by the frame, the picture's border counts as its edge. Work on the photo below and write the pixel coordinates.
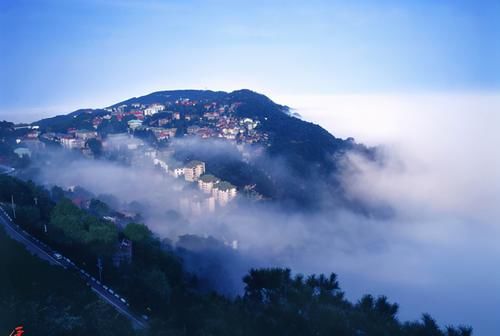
(49, 300)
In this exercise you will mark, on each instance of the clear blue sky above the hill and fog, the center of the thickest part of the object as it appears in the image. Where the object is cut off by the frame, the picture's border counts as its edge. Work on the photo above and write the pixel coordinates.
(59, 55)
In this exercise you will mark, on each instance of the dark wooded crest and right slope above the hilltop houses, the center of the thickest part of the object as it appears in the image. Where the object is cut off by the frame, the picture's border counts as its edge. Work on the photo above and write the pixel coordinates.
(304, 145)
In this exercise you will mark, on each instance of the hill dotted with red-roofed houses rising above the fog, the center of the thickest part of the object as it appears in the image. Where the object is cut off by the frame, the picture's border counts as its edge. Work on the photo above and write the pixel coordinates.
(299, 156)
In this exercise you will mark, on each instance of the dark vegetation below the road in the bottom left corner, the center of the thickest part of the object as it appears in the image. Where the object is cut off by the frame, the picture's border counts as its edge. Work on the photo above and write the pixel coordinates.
(48, 300)
